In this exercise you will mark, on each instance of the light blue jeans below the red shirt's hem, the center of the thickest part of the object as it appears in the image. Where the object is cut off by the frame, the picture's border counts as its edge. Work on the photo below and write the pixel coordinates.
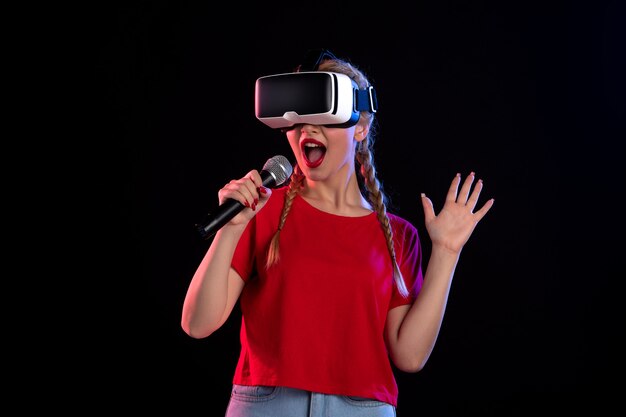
(262, 401)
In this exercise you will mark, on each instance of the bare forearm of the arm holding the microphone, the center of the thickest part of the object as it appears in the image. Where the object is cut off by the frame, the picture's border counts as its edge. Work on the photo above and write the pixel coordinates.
(206, 303)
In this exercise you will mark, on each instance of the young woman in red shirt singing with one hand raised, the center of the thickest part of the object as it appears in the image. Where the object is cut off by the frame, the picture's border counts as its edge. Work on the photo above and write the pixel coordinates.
(331, 285)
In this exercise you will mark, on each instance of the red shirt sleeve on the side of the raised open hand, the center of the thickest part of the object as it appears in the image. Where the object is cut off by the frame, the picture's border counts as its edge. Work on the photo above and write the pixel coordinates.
(409, 257)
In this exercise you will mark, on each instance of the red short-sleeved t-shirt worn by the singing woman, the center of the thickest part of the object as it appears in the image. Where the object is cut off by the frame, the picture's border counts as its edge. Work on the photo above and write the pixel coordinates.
(315, 321)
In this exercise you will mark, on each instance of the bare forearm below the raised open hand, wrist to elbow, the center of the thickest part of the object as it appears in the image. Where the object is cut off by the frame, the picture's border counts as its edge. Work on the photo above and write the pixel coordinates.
(420, 328)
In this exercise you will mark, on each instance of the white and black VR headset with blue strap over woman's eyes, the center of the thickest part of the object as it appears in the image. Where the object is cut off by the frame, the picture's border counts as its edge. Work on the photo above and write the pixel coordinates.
(311, 97)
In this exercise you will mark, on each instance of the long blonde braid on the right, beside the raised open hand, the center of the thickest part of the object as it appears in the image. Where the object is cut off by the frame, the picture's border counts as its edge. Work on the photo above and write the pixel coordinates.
(378, 199)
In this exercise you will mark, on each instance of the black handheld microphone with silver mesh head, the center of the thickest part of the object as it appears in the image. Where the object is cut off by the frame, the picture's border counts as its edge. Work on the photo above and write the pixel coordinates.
(275, 172)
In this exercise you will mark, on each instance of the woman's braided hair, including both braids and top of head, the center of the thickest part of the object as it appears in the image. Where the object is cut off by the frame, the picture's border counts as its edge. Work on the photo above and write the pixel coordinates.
(370, 186)
